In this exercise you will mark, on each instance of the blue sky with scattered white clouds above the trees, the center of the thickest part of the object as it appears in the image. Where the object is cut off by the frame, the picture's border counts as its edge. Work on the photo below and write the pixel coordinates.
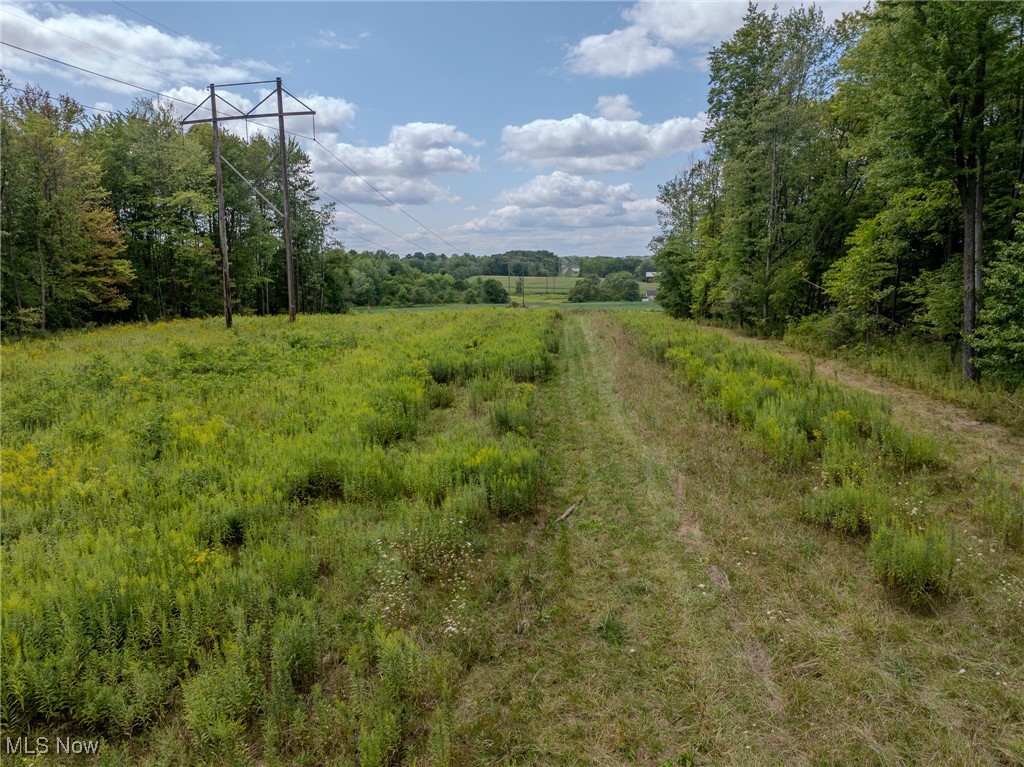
(474, 127)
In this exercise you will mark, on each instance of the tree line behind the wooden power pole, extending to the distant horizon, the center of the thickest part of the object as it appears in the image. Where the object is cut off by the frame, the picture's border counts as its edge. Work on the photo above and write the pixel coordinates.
(114, 219)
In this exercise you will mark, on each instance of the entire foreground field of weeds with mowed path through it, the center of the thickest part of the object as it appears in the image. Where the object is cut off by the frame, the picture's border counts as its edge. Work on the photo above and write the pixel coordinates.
(492, 537)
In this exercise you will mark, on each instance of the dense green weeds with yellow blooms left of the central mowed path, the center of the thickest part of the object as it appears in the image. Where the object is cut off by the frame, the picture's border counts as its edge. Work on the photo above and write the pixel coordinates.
(218, 523)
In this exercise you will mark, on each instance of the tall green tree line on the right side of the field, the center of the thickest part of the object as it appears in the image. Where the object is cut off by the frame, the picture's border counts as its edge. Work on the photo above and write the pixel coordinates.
(865, 180)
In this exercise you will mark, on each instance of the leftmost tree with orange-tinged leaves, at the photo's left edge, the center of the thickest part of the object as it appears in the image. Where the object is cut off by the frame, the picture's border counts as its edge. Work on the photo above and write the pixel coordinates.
(59, 237)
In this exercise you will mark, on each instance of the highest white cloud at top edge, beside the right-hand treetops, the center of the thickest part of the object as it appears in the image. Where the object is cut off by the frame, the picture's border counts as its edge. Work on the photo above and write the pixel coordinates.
(655, 30)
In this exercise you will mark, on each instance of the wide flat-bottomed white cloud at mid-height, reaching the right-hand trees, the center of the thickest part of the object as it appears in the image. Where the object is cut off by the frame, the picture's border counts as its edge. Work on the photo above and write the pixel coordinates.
(588, 145)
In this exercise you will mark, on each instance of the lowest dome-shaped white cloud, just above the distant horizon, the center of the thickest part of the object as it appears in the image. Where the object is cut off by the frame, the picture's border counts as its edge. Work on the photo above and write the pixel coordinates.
(565, 202)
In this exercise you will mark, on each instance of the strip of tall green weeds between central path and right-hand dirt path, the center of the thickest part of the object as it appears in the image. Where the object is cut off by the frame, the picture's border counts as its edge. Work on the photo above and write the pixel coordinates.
(795, 419)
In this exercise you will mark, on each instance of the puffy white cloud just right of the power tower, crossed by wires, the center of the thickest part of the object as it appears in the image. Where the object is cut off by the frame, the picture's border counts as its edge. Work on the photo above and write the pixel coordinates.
(402, 168)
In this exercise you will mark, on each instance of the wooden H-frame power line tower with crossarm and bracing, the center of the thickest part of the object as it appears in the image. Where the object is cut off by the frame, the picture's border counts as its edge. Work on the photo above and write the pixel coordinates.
(252, 115)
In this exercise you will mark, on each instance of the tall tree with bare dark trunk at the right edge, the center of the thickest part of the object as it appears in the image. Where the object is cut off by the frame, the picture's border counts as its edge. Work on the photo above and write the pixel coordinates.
(944, 83)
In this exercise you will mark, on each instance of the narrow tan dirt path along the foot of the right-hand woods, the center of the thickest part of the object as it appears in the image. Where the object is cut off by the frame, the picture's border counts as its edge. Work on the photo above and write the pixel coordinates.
(970, 444)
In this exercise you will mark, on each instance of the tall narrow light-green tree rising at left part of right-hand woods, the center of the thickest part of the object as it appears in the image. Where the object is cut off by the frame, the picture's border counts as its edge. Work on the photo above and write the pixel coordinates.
(774, 140)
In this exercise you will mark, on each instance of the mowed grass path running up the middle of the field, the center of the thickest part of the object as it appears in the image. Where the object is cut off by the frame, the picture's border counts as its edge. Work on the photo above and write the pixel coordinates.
(684, 615)
